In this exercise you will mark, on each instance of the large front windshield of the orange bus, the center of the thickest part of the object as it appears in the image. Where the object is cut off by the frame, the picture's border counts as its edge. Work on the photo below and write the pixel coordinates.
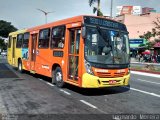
(106, 46)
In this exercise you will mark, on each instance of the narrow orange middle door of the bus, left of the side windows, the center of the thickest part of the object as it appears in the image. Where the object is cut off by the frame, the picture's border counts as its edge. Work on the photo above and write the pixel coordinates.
(33, 51)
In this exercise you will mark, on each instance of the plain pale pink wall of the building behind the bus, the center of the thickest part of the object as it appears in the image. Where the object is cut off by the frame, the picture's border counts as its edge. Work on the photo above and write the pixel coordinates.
(138, 25)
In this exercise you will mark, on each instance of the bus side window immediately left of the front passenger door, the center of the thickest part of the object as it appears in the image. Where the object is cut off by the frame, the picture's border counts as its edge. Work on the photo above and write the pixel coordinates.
(58, 35)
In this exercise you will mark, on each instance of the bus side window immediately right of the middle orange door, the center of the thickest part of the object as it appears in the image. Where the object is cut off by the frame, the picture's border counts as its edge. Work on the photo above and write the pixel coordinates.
(44, 36)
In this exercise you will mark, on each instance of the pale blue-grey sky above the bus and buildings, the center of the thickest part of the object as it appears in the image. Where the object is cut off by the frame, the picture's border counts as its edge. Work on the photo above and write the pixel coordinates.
(24, 14)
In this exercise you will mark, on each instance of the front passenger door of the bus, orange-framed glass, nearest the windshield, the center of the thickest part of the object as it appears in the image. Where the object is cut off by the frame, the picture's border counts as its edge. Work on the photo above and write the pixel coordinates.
(73, 58)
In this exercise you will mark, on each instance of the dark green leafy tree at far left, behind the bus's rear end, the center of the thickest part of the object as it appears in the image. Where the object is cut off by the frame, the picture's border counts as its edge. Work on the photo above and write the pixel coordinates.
(6, 28)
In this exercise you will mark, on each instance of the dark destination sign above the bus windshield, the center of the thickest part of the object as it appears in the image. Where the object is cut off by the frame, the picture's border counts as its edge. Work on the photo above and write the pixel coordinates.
(104, 23)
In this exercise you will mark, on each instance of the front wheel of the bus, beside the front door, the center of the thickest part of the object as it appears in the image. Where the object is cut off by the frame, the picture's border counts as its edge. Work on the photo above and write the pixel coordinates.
(58, 77)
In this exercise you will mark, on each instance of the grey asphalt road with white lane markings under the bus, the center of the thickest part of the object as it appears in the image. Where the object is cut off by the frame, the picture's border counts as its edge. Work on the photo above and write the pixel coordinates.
(33, 94)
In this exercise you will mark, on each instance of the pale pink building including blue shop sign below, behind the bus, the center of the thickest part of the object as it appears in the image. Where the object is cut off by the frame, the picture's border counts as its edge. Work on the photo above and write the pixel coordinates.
(138, 25)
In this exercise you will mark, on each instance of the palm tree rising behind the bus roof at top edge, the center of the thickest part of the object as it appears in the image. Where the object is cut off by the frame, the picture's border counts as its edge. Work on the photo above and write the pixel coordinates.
(96, 9)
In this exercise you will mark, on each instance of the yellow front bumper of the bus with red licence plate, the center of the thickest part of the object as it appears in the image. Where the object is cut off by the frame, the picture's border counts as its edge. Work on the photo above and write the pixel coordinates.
(90, 81)
